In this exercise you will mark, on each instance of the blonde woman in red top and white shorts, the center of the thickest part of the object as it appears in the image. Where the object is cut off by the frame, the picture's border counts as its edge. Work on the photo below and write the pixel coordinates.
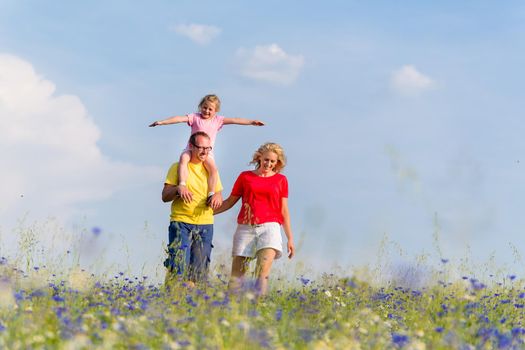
(264, 193)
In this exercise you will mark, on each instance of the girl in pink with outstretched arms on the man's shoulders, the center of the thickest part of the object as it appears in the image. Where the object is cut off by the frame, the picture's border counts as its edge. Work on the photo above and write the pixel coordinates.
(209, 122)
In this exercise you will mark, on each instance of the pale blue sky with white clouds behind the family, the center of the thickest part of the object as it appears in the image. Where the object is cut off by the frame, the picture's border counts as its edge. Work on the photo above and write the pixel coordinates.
(399, 120)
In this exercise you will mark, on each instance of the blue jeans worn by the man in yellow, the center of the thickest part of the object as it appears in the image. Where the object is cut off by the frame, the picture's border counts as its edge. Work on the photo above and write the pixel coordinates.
(189, 250)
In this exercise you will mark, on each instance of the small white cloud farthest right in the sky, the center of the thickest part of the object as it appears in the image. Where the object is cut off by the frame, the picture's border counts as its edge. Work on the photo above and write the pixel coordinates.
(409, 81)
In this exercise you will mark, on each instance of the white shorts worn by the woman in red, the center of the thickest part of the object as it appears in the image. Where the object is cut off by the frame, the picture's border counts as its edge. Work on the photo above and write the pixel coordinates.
(249, 239)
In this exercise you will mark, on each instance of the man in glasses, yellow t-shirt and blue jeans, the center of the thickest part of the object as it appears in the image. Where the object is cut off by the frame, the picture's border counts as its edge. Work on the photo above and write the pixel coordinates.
(191, 220)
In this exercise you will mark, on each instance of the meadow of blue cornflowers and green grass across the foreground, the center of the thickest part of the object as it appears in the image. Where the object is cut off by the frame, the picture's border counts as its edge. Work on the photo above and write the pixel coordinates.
(40, 308)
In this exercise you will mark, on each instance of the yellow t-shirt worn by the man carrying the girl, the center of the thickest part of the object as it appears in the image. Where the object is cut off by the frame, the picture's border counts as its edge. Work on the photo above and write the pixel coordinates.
(197, 212)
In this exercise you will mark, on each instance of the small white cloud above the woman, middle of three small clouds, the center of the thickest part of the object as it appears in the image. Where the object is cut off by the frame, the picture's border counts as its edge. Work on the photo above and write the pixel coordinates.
(269, 63)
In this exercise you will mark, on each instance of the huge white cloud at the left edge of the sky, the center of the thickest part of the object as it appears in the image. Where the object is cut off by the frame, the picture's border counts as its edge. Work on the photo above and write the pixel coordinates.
(49, 156)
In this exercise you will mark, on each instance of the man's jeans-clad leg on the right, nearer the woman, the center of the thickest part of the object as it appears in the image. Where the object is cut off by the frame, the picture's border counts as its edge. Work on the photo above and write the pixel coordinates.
(201, 246)
